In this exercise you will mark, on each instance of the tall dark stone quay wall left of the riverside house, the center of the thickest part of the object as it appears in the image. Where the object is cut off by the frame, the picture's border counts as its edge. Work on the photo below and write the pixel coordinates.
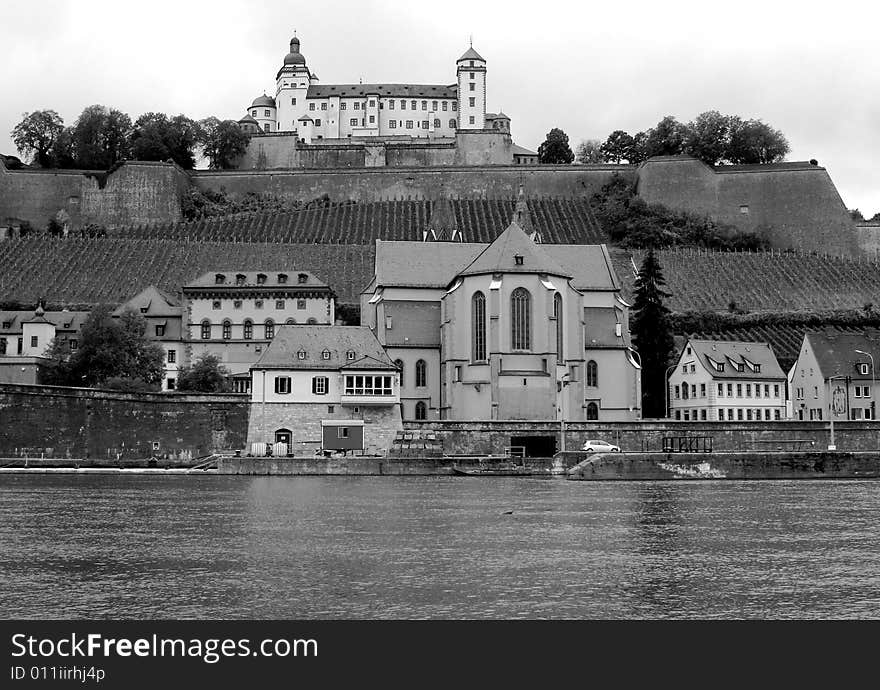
(54, 421)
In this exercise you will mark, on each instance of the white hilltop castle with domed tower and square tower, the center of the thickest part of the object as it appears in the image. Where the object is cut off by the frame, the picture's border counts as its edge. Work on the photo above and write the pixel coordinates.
(338, 111)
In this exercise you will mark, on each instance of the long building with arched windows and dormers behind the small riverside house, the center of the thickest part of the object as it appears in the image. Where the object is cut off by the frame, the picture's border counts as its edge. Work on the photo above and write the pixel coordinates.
(235, 314)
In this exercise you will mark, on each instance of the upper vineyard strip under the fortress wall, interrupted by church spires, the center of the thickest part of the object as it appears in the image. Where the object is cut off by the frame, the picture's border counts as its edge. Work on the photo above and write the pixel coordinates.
(564, 221)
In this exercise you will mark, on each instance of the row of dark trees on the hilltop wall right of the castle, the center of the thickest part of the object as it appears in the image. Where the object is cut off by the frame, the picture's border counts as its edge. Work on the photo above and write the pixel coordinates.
(714, 138)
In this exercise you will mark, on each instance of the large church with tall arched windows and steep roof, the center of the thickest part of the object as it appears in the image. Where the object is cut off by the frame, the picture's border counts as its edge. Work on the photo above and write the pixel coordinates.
(514, 329)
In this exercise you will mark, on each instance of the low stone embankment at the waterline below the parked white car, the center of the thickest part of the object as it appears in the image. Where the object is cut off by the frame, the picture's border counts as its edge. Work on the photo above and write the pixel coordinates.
(742, 465)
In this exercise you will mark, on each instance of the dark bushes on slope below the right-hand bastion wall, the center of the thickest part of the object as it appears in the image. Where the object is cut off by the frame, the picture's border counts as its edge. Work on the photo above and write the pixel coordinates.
(634, 224)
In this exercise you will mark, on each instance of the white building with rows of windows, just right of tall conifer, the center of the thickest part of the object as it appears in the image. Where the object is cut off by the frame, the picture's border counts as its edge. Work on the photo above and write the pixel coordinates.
(717, 380)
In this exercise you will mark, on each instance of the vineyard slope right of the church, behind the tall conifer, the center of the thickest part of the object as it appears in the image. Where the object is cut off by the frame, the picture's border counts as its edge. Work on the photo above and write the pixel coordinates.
(755, 282)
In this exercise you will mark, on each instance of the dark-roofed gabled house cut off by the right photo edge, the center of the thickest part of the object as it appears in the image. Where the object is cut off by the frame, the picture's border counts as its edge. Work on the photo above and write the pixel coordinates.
(834, 375)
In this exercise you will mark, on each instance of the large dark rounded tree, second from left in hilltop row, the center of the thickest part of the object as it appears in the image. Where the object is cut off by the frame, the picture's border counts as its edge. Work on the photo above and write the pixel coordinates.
(100, 137)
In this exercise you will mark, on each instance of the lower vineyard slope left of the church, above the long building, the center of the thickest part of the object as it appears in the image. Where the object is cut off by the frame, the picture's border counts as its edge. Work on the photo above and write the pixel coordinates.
(90, 271)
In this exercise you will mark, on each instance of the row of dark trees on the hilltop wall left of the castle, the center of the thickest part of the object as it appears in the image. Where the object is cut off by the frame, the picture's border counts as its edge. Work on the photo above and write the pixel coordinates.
(102, 137)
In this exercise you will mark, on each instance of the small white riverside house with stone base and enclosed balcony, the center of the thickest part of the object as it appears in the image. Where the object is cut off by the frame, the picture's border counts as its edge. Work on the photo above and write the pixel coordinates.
(310, 378)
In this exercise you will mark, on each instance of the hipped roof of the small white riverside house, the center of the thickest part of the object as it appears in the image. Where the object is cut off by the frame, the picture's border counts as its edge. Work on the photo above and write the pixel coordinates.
(337, 341)
